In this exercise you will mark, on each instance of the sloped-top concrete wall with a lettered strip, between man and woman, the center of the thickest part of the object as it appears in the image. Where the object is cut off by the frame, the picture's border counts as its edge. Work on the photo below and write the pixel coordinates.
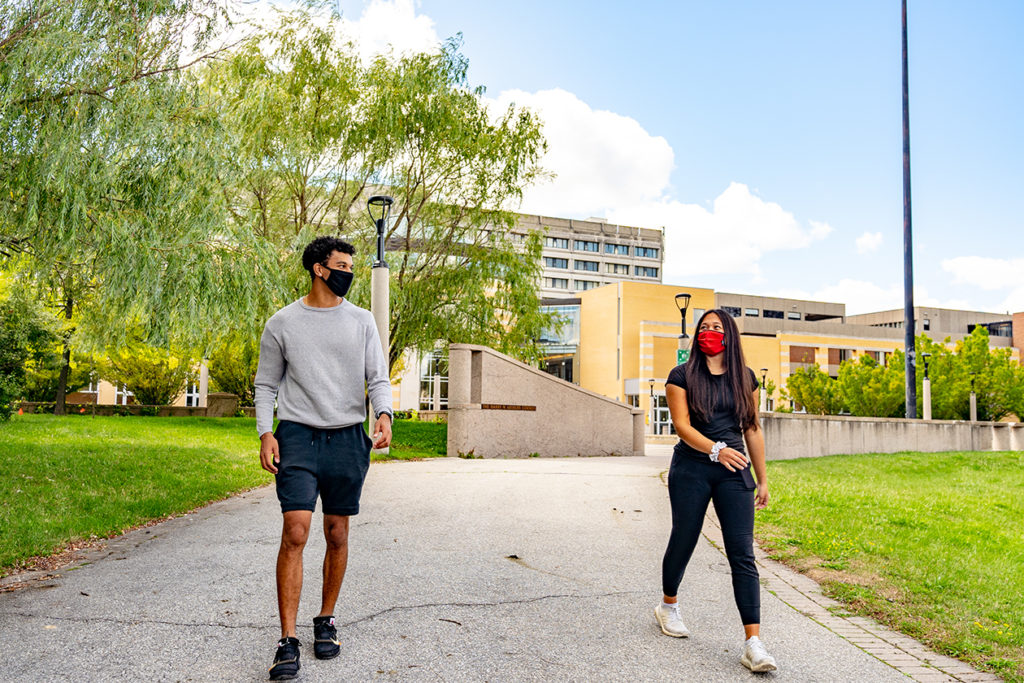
(500, 408)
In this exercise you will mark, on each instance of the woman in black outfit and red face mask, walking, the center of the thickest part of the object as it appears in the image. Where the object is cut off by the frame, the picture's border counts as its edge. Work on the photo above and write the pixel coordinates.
(713, 401)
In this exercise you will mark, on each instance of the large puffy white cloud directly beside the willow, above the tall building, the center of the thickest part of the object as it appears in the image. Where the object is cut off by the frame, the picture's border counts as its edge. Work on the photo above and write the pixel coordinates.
(602, 160)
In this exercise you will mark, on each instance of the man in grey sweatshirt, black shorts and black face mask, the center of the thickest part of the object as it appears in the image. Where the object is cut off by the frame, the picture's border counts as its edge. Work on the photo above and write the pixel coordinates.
(319, 358)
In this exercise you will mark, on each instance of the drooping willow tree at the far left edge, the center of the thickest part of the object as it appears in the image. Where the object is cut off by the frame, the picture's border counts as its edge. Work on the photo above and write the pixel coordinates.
(109, 161)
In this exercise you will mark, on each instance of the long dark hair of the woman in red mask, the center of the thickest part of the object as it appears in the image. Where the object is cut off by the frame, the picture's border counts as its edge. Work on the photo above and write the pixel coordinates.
(701, 395)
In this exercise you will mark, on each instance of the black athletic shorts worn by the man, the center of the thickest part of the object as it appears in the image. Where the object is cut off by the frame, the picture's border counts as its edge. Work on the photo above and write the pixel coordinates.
(331, 463)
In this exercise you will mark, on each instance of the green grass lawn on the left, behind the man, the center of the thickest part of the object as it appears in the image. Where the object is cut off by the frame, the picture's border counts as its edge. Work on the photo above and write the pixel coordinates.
(67, 480)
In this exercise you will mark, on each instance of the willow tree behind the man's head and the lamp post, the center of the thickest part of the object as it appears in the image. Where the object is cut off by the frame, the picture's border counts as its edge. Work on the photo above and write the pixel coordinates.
(319, 133)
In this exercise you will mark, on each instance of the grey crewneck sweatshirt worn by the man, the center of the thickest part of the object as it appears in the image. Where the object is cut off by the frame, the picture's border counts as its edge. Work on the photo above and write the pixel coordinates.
(319, 364)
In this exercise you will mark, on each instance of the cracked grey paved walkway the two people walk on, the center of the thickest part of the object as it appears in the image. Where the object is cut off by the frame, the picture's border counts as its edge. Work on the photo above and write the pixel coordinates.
(479, 571)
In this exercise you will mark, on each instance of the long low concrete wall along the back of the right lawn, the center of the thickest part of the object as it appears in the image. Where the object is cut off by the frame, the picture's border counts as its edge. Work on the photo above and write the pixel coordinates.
(790, 437)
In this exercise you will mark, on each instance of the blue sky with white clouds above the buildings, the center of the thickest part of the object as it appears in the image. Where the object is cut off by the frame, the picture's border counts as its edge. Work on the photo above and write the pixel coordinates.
(765, 138)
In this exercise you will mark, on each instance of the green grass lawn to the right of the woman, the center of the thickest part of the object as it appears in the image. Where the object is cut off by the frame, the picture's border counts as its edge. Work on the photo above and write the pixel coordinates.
(929, 544)
